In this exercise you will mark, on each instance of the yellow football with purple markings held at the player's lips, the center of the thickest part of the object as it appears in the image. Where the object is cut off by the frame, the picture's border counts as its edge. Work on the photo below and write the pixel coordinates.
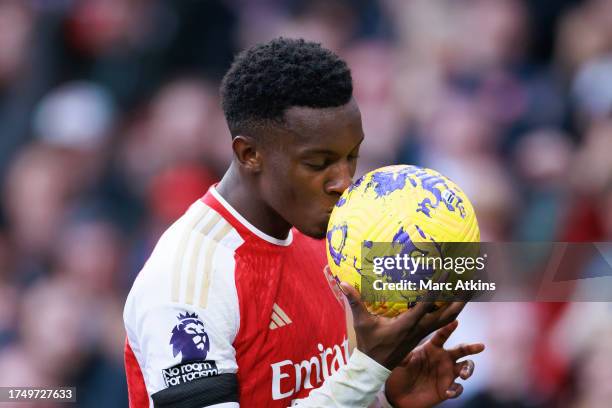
(387, 227)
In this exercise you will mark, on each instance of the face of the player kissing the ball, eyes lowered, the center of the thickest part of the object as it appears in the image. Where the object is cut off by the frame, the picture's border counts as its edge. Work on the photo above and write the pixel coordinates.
(309, 164)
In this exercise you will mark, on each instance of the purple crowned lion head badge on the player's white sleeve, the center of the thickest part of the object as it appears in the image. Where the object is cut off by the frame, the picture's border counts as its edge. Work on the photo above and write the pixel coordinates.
(189, 338)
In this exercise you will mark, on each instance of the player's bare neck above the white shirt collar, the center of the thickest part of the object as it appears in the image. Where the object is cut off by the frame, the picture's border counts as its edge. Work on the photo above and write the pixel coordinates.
(245, 198)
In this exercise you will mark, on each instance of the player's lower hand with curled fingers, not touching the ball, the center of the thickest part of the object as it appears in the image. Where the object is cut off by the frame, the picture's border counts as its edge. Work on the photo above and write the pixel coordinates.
(427, 375)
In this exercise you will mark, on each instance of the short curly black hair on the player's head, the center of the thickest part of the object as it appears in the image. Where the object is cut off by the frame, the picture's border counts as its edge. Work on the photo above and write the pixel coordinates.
(267, 79)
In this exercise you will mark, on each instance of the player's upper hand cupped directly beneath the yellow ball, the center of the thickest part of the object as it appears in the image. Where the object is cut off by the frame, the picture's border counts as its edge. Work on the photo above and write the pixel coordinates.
(389, 340)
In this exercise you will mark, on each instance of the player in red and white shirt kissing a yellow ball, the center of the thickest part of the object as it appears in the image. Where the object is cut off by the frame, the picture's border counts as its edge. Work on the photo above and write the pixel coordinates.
(234, 307)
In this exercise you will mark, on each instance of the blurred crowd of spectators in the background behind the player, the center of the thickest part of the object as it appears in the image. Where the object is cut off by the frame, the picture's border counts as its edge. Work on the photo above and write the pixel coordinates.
(111, 127)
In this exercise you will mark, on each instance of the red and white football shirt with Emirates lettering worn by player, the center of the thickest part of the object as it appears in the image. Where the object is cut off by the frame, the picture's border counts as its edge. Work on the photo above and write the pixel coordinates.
(222, 312)
